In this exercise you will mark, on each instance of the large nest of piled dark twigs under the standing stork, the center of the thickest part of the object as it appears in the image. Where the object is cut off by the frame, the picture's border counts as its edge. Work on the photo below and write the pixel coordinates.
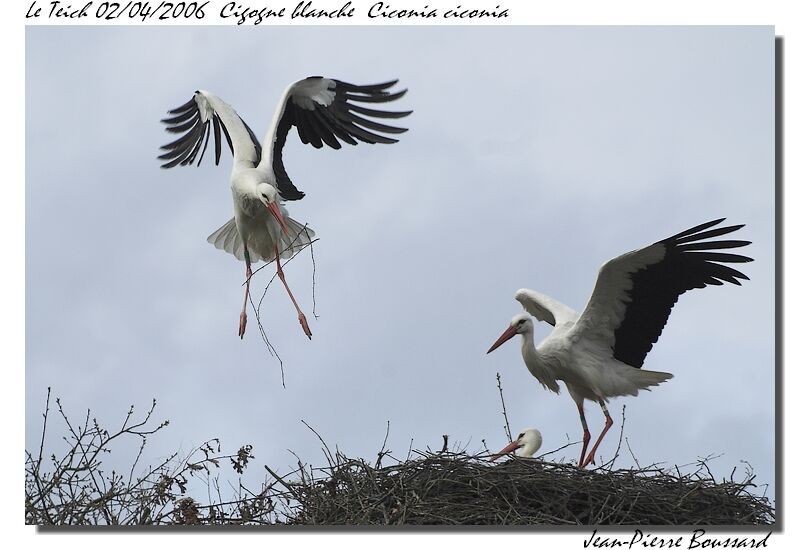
(459, 489)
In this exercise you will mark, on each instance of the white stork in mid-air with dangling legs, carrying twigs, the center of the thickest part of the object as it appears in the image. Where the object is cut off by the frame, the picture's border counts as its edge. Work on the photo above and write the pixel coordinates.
(324, 111)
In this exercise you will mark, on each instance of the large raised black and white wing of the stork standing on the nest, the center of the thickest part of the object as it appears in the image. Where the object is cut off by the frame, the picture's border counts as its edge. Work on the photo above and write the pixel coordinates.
(635, 292)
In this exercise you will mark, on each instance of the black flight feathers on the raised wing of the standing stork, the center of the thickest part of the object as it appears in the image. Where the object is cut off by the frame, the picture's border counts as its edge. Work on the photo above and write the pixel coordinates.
(687, 264)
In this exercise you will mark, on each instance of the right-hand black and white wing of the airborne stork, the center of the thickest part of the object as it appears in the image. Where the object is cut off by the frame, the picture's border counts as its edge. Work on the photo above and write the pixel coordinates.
(326, 112)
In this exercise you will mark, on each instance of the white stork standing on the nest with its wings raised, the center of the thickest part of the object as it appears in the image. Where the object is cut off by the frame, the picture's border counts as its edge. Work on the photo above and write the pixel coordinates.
(599, 353)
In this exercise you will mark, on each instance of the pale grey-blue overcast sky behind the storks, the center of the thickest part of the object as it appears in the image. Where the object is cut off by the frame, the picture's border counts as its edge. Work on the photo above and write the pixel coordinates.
(534, 155)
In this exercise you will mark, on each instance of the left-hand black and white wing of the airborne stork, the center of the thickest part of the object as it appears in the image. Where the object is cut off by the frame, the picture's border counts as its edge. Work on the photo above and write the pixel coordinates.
(195, 119)
